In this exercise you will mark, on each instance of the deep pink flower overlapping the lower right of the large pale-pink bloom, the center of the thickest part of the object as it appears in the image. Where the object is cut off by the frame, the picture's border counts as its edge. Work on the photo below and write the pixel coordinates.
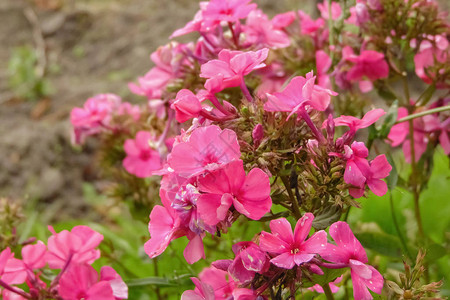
(250, 195)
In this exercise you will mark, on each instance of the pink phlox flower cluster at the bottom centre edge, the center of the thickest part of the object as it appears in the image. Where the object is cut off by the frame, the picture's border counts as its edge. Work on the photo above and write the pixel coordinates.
(284, 250)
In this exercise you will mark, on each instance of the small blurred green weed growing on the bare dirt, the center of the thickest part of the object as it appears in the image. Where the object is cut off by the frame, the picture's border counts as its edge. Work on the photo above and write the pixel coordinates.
(24, 80)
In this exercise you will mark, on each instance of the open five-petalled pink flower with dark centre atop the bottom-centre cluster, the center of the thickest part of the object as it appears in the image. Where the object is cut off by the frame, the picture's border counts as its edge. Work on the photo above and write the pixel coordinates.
(292, 249)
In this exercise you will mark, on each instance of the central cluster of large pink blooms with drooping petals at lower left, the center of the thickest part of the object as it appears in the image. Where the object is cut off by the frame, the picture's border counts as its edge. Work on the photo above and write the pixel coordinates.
(204, 190)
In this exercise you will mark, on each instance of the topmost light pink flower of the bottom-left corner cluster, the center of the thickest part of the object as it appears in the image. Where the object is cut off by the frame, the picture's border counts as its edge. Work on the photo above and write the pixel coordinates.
(77, 245)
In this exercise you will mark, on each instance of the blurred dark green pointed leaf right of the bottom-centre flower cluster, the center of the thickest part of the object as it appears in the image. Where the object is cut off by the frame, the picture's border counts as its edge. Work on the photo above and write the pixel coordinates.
(381, 242)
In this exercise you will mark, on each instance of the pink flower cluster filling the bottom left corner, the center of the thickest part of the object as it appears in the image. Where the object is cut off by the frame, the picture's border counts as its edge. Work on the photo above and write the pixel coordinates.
(70, 252)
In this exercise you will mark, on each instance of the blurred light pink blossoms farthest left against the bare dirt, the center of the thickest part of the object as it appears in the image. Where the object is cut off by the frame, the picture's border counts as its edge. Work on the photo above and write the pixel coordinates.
(93, 116)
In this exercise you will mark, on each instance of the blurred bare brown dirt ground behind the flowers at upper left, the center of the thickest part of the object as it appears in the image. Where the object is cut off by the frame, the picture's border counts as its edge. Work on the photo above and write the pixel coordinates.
(91, 46)
